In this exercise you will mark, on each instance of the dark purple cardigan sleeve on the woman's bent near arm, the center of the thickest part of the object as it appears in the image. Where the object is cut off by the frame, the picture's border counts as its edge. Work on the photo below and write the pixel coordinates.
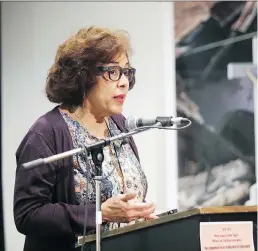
(34, 214)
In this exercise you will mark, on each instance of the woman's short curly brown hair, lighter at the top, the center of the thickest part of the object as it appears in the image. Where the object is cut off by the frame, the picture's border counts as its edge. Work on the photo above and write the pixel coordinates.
(73, 73)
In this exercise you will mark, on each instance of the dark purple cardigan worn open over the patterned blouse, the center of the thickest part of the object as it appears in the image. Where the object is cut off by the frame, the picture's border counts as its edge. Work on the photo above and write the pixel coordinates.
(45, 206)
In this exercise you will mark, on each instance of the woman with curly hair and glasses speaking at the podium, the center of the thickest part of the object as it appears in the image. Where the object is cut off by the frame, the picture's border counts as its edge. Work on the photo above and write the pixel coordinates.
(89, 81)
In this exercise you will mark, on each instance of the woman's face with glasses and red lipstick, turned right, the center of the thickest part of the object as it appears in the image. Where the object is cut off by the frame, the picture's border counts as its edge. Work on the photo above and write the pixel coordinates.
(108, 95)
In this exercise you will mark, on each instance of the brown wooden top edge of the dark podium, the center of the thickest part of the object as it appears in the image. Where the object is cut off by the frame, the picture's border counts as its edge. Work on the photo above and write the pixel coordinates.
(172, 217)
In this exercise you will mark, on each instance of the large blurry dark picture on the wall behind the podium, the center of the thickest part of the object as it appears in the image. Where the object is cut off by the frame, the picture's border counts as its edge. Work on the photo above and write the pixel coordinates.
(216, 62)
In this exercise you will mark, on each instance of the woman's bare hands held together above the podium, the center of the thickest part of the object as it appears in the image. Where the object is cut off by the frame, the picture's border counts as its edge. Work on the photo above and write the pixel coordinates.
(122, 208)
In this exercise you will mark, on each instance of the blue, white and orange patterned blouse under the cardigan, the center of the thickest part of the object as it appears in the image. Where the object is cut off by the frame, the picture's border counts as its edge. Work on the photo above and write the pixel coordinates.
(115, 181)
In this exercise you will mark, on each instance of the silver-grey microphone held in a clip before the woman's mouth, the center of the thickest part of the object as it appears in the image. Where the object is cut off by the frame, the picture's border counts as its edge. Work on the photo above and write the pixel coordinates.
(133, 123)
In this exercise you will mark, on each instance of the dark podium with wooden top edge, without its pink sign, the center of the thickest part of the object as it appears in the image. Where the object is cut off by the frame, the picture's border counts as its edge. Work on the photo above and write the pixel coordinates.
(176, 232)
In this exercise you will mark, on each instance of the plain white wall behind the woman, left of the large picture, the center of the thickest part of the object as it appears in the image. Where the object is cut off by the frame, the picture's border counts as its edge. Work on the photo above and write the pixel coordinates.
(31, 32)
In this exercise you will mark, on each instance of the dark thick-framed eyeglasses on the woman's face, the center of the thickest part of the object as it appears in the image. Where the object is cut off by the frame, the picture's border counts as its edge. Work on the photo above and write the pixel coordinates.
(114, 73)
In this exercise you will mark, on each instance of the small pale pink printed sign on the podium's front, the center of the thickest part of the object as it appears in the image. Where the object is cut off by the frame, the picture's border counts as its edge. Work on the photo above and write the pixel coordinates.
(227, 236)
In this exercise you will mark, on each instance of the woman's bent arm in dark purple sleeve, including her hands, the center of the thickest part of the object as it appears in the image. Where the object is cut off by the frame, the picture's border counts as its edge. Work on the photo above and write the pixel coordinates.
(34, 214)
